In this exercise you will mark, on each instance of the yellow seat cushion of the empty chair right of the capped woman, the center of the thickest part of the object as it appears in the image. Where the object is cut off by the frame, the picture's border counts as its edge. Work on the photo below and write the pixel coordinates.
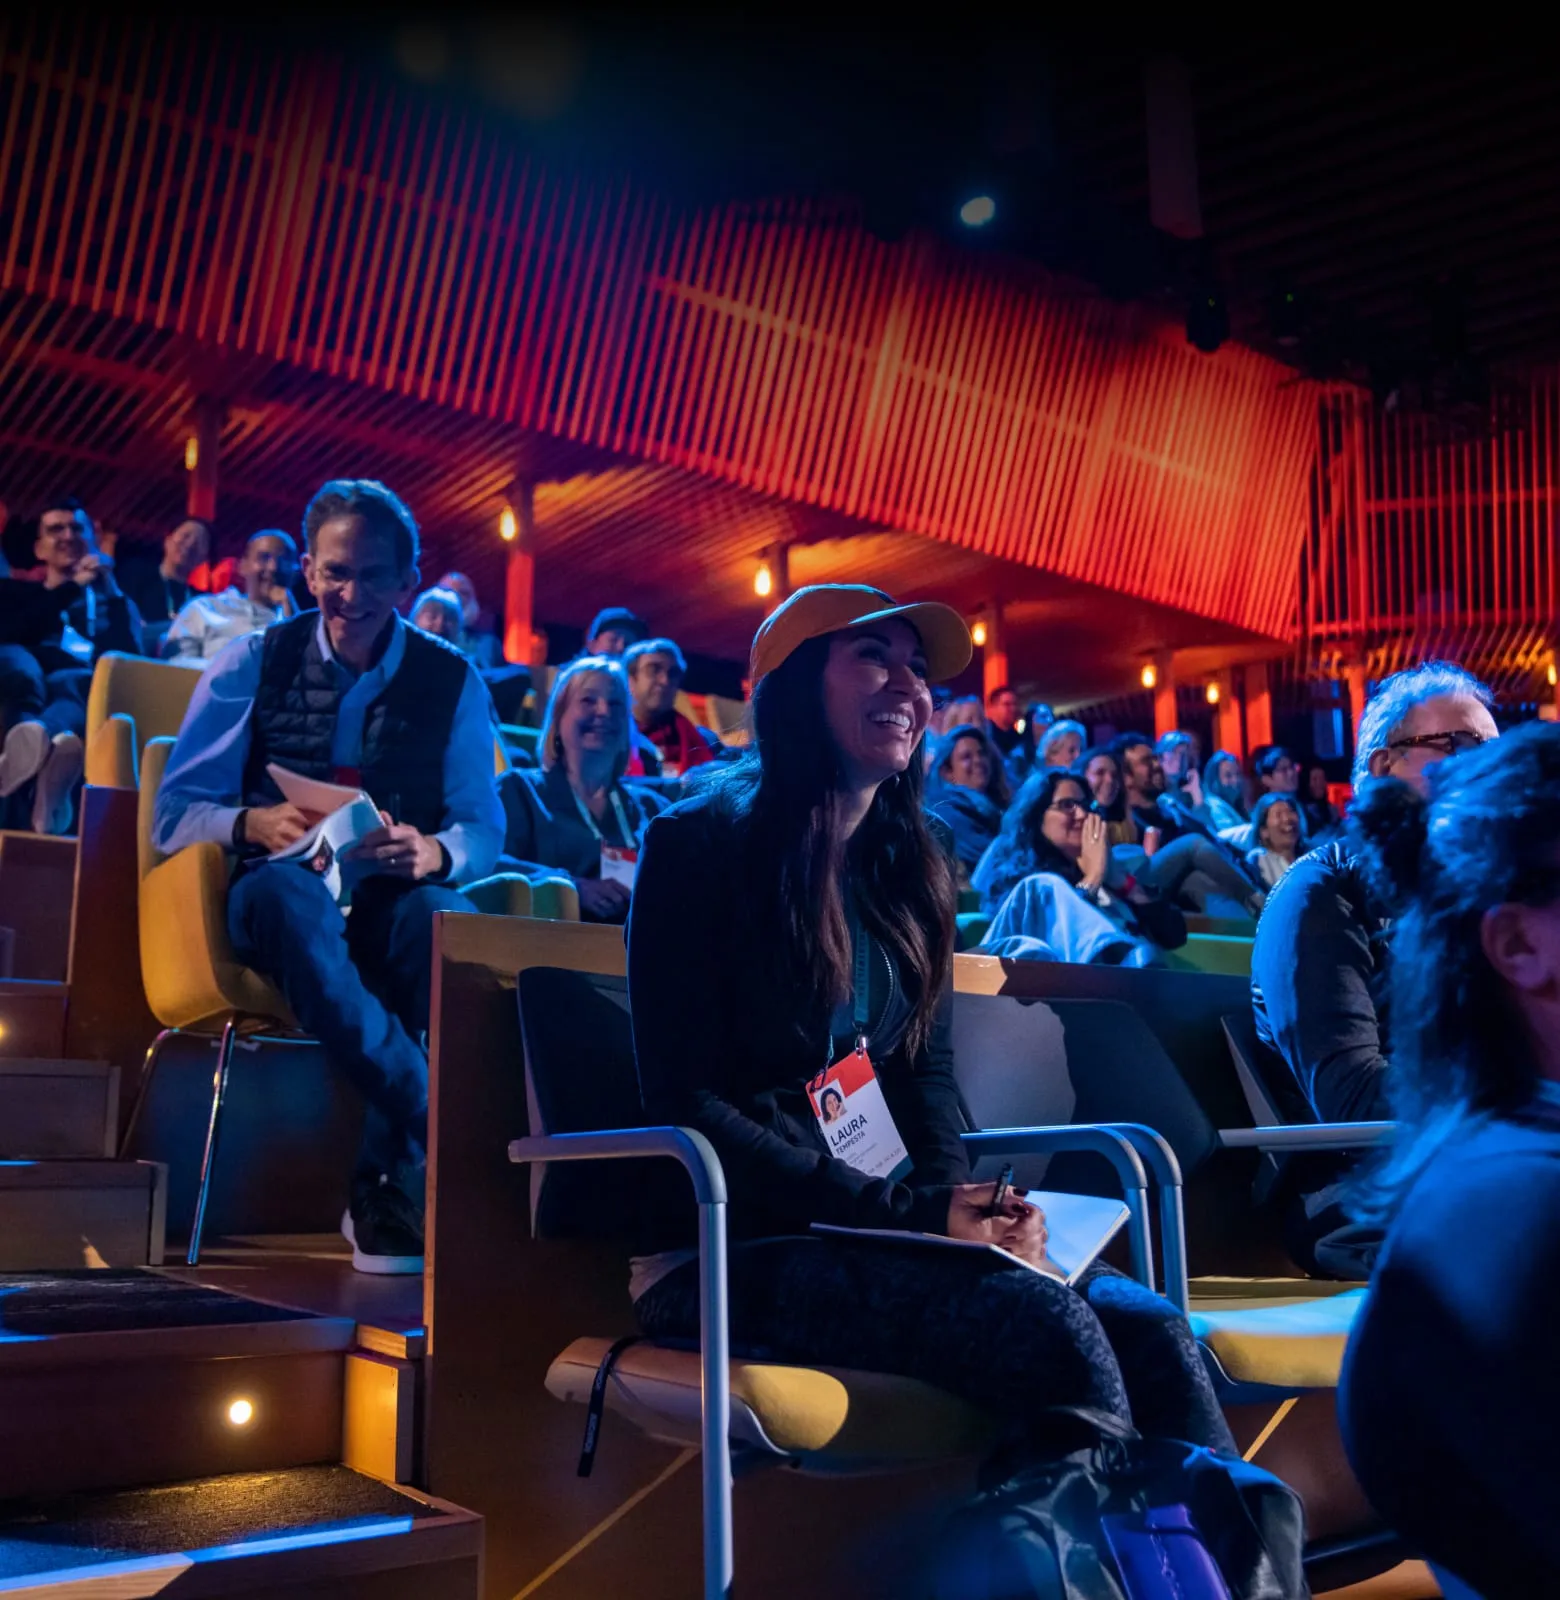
(1282, 1343)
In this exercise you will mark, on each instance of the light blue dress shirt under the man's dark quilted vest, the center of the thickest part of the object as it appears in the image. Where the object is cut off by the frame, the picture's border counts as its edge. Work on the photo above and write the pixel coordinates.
(202, 790)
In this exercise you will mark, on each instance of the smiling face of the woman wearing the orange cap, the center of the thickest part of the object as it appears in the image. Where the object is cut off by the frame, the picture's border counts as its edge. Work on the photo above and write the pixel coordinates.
(876, 700)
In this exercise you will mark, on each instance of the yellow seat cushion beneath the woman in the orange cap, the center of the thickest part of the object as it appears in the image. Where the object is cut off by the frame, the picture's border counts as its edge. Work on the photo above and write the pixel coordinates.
(826, 1418)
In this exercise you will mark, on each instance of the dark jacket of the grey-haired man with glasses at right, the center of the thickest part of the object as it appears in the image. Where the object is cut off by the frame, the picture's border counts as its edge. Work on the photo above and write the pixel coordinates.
(1318, 986)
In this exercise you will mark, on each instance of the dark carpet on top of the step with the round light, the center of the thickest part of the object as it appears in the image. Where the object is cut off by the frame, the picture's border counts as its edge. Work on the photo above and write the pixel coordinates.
(41, 1305)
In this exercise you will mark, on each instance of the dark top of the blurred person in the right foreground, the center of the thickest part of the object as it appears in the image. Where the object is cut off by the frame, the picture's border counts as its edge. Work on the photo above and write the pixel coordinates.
(1450, 1388)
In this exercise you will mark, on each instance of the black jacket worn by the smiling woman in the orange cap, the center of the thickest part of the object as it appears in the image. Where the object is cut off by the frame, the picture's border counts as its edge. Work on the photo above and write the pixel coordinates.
(727, 1046)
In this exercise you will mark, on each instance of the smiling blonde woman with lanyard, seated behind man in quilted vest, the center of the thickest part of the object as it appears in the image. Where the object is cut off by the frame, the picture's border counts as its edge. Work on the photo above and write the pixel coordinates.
(575, 815)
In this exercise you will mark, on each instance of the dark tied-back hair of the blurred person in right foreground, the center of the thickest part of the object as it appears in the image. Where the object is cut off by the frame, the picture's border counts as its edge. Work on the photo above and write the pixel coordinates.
(1486, 838)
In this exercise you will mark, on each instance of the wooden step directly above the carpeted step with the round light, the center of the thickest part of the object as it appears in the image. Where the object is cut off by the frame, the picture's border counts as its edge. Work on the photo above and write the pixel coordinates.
(81, 1214)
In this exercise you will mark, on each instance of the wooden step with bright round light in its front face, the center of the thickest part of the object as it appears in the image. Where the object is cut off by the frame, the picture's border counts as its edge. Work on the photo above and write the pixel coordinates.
(118, 1380)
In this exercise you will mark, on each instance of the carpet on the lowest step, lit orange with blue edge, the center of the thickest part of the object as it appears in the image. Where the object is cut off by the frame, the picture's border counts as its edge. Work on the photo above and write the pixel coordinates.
(84, 1530)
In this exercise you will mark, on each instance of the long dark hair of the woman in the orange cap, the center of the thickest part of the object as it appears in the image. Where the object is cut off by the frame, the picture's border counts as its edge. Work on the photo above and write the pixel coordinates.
(785, 793)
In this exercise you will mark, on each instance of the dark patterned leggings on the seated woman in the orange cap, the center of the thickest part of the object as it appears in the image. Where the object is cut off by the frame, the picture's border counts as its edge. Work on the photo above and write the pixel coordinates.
(1010, 1342)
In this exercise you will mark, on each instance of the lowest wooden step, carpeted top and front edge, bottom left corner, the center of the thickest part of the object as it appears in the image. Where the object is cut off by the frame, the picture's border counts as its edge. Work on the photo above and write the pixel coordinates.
(310, 1534)
